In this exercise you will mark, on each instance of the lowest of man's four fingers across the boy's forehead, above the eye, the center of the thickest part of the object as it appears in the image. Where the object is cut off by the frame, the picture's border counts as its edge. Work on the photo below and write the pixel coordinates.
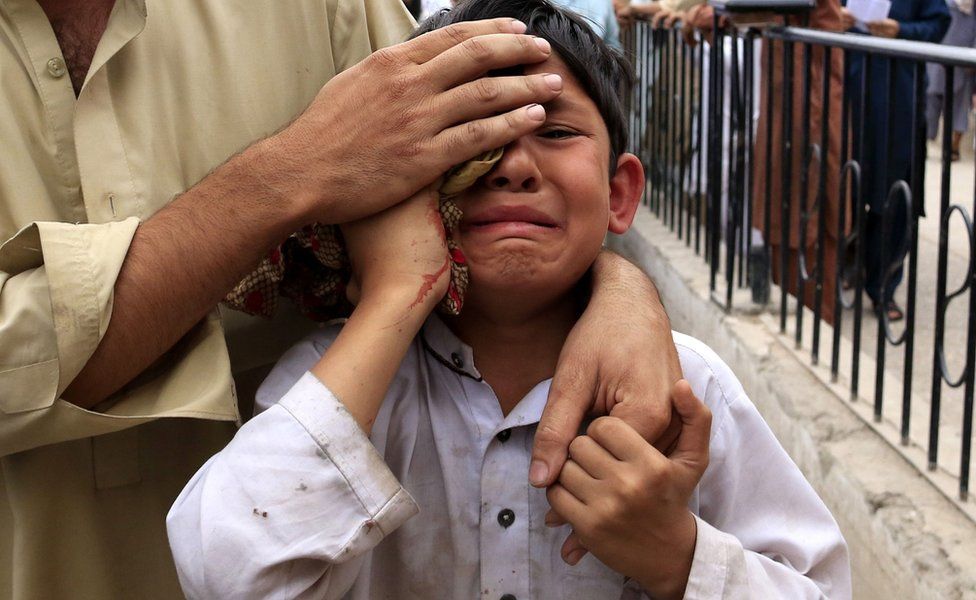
(463, 142)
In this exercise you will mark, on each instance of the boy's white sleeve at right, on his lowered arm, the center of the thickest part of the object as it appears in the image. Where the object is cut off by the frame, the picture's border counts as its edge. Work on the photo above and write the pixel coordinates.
(765, 533)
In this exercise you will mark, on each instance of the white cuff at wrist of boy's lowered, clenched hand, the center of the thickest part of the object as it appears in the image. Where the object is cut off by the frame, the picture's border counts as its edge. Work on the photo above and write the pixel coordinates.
(718, 569)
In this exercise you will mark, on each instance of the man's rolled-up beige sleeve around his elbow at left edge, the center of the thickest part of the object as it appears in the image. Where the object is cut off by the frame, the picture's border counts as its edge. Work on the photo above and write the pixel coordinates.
(56, 290)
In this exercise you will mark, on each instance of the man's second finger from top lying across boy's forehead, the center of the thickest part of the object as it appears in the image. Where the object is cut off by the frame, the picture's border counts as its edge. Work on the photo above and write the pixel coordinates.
(474, 57)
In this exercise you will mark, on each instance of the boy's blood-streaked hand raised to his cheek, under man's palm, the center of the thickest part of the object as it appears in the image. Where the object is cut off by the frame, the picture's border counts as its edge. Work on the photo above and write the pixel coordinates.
(400, 253)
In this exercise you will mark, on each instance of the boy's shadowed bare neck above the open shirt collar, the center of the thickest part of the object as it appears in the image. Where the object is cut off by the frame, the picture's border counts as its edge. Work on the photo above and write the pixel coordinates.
(515, 347)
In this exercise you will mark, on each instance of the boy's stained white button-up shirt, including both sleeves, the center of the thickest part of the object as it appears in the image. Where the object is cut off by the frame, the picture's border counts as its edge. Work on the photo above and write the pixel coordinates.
(436, 502)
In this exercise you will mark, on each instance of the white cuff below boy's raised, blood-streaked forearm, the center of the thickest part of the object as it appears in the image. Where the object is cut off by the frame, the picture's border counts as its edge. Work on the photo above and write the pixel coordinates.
(345, 444)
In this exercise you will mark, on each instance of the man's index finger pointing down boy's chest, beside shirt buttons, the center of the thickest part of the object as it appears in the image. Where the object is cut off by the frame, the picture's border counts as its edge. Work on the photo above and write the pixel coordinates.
(570, 397)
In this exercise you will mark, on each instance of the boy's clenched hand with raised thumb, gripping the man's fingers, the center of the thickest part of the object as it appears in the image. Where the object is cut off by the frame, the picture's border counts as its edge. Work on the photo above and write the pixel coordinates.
(628, 503)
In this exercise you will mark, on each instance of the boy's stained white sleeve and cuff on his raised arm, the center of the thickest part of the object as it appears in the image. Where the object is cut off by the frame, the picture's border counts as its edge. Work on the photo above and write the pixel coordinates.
(289, 508)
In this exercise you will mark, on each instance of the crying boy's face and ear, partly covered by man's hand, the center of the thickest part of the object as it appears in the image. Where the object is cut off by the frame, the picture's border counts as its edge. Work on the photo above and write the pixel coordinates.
(536, 222)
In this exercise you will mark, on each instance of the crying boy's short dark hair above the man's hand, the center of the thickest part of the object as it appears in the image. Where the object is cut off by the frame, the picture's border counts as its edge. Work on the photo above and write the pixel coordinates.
(602, 71)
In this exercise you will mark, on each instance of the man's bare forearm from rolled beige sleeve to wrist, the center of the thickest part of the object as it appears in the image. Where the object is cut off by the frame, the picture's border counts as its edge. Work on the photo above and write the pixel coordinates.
(182, 261)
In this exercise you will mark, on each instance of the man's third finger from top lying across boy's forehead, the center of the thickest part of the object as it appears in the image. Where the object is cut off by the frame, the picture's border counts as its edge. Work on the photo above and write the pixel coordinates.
(491, 95)
